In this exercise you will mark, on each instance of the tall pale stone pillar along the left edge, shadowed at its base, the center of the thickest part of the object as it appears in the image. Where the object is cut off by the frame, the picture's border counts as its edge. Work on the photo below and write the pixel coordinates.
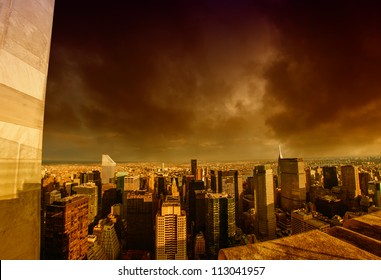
(25, 35)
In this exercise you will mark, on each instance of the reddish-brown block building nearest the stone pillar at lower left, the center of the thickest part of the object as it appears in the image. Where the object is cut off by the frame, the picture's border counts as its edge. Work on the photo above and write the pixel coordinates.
(66, 229)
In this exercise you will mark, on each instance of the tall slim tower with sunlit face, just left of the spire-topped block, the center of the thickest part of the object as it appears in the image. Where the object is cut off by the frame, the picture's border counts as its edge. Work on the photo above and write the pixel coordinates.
(264, 197)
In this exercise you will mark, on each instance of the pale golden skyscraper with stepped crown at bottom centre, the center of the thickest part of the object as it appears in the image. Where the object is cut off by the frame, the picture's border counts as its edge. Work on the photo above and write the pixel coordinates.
(171, 231)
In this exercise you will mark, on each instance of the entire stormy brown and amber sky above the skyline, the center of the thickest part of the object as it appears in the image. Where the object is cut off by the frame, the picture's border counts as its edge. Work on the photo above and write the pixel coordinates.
(213, 80)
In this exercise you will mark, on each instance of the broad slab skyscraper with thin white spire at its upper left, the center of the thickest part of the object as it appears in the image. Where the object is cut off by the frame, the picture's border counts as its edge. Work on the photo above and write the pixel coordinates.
(292, 180)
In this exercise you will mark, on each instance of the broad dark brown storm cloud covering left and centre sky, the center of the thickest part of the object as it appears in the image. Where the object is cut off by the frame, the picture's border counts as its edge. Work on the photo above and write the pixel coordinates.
(155, 79)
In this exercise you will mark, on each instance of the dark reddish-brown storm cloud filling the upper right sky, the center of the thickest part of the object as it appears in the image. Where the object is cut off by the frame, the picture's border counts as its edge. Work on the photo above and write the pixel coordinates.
(325, 81)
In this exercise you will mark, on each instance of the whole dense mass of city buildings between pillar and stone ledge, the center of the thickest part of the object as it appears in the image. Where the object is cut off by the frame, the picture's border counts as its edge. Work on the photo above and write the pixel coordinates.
(193, 213)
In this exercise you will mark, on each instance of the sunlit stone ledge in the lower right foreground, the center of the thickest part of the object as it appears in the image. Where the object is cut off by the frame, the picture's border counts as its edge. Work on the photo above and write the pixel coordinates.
(359, 239)
